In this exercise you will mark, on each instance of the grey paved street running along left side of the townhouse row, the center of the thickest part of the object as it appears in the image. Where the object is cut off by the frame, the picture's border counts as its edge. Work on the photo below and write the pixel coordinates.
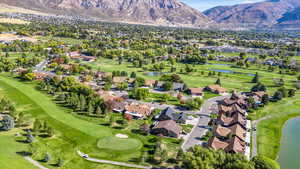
(201, 128)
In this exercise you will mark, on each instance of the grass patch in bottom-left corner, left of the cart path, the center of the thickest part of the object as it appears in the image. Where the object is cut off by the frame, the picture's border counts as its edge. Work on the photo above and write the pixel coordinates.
(9, 159)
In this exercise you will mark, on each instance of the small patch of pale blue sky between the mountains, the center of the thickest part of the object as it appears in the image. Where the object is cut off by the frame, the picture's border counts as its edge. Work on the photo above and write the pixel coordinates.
(206, 4)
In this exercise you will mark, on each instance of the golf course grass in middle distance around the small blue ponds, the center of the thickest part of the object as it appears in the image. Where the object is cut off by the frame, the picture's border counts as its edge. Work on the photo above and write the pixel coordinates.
(240, 82)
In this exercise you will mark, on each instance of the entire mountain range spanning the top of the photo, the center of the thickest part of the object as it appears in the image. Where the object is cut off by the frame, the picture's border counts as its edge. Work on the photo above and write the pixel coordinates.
(273, 14)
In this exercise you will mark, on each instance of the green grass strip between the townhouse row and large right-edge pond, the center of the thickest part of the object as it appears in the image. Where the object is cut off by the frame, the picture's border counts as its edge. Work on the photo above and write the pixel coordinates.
(270, 130)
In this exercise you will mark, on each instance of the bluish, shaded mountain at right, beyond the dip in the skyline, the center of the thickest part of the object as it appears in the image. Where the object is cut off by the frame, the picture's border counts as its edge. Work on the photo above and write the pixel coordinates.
(256, 15)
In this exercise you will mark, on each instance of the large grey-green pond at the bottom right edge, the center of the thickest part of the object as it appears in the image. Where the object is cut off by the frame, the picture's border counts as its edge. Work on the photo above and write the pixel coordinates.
(290, 145)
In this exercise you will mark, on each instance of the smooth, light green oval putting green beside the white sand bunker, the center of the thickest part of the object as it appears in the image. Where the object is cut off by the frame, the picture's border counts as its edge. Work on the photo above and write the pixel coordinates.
(118, 144)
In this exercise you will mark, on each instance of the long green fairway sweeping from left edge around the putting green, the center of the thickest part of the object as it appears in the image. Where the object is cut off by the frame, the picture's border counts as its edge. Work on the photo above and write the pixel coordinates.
(71, 133)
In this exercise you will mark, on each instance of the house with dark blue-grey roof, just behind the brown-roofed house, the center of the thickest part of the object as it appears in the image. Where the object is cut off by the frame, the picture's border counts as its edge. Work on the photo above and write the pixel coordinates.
(170, 114)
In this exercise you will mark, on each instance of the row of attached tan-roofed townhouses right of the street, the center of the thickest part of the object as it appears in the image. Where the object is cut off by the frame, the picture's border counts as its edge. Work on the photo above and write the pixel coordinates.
(230, 131)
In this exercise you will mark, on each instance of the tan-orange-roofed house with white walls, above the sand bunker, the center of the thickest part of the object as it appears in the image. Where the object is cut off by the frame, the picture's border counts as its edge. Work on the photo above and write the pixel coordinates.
(138, 110)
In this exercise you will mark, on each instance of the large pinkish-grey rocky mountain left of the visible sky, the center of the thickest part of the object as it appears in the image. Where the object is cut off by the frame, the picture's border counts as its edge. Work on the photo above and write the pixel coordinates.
(157, 12)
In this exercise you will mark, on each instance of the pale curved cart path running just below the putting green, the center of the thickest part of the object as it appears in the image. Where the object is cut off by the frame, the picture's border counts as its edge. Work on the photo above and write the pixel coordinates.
(112, 162)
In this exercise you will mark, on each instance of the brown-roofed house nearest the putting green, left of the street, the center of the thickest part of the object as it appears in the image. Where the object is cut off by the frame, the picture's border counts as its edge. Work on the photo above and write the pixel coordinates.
(167, 128)
